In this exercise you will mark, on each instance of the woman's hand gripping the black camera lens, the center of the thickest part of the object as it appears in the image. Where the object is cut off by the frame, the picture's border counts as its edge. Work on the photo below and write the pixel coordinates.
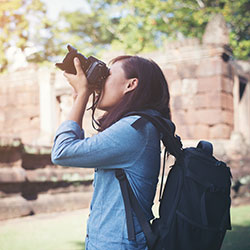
(79, 81)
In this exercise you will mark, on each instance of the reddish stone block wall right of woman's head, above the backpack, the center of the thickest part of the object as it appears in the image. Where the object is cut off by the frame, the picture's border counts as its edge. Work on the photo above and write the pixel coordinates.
(201, 96)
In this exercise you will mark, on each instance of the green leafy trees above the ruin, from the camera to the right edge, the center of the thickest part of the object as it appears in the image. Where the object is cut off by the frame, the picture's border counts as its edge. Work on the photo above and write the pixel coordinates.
(142, 25)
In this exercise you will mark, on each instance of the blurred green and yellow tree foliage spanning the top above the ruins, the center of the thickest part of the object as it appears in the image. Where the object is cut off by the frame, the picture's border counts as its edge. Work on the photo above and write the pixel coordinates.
(132, 26)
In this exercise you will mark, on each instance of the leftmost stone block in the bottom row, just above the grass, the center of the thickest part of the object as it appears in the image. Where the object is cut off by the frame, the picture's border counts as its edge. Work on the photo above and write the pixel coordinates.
(14, 207)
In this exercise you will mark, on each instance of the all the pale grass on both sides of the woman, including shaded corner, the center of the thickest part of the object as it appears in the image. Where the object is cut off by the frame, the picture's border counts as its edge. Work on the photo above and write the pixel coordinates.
(66, 231)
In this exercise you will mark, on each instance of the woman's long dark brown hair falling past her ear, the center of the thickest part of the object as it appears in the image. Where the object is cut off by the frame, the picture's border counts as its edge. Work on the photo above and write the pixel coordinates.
(151, 93)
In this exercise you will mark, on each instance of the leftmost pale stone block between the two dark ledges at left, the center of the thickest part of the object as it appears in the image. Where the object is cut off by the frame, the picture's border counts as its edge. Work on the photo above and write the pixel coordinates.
(12, 175)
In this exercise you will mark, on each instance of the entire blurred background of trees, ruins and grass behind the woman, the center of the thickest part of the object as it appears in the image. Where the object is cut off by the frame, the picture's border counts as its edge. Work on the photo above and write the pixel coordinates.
(203, 48)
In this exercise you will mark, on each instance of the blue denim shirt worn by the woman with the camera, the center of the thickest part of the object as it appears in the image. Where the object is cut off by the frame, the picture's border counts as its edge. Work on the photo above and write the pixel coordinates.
(137, 151)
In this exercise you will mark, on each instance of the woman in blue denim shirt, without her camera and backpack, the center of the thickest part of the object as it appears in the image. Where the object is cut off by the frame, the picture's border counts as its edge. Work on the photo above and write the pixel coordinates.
(134, 83)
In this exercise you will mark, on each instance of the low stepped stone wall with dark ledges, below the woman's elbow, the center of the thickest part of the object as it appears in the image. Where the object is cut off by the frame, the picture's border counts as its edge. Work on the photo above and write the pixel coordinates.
(29, 184)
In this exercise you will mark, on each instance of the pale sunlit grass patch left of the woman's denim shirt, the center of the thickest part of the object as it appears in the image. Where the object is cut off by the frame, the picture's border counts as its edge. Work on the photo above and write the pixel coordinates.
(62, 231)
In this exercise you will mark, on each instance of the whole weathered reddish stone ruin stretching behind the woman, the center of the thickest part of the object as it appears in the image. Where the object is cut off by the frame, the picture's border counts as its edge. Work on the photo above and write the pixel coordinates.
(210, 100)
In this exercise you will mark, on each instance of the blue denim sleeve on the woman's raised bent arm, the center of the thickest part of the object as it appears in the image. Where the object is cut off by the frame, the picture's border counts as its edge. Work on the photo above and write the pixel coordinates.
(115, 147)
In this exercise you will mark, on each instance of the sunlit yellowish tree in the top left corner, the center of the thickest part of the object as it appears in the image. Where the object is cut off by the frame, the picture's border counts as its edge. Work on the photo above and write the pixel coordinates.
(21, 25)
